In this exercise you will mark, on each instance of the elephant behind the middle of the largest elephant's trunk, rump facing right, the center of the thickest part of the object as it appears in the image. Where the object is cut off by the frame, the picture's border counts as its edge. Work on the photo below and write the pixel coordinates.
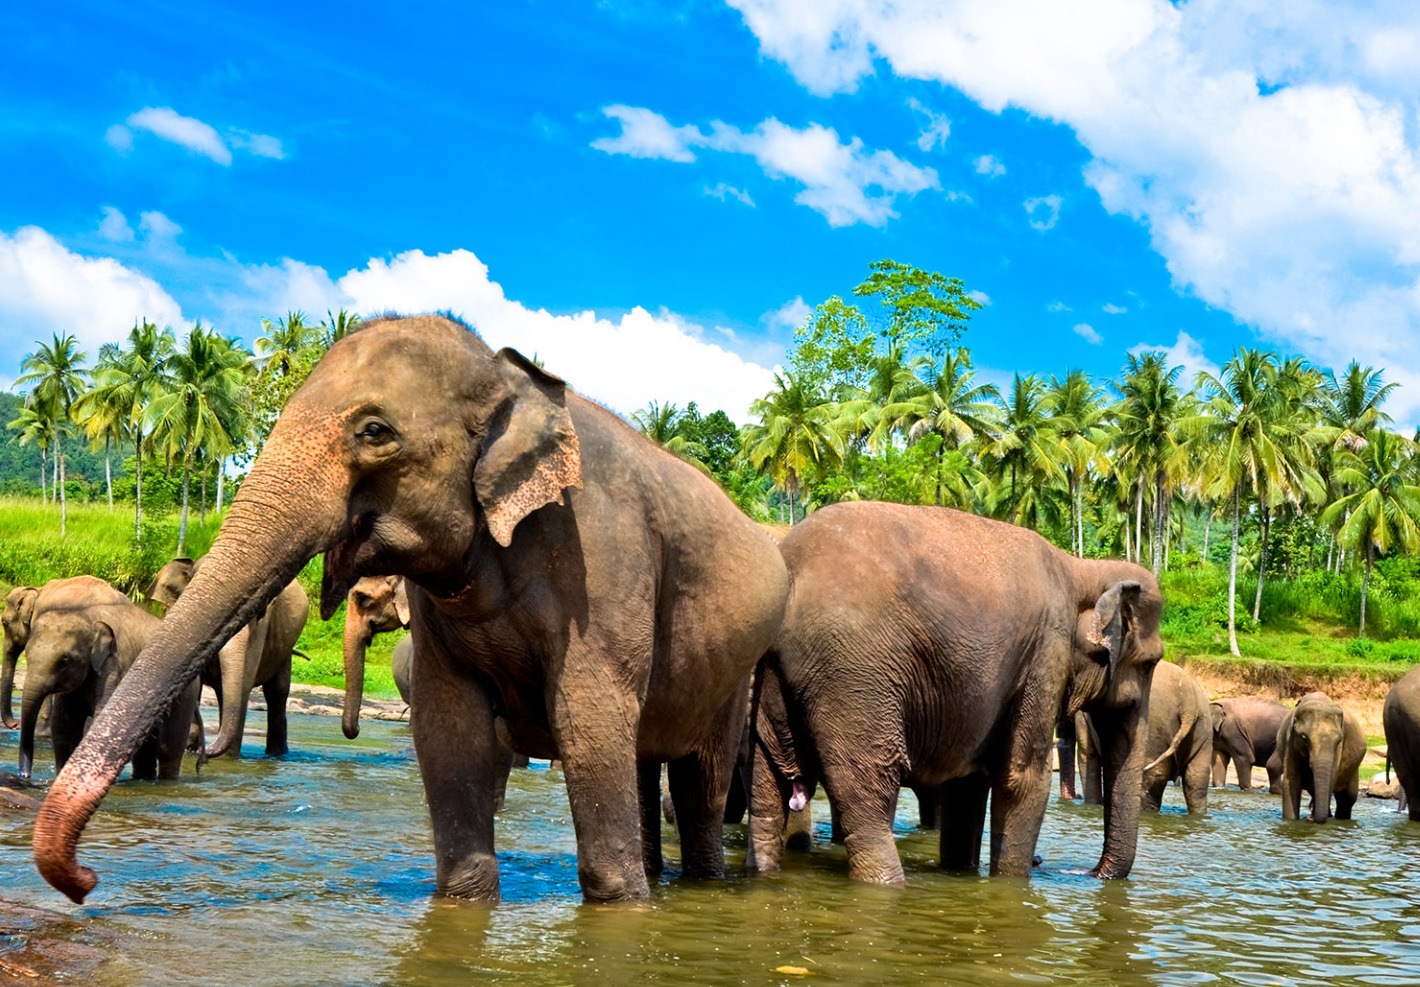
(258, 655)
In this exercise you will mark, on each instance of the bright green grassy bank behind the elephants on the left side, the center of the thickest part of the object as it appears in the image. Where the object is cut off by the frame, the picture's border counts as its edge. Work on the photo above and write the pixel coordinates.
(102, 543)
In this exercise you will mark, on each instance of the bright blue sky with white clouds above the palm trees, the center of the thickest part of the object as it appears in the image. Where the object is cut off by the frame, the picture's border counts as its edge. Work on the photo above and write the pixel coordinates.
(651, 197)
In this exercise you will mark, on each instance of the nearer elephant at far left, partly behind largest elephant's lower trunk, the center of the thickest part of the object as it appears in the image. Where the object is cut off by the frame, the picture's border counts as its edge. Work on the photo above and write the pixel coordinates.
(84, 637)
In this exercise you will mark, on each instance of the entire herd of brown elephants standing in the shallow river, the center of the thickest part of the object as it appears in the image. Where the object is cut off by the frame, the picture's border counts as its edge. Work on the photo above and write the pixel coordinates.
(576, 593)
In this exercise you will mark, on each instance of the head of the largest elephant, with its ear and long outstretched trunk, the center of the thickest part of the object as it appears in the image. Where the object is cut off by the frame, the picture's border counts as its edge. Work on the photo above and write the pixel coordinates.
(410, 449)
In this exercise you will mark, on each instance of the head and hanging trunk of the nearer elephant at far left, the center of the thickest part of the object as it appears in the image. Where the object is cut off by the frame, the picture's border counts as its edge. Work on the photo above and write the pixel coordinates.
(67, 653)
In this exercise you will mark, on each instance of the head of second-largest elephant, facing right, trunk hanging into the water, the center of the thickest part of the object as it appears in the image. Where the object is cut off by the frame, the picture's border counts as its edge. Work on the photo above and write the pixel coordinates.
(1117, 647)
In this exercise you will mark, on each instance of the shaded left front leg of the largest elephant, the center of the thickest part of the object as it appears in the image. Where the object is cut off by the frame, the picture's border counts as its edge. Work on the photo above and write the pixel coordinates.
(452, 724)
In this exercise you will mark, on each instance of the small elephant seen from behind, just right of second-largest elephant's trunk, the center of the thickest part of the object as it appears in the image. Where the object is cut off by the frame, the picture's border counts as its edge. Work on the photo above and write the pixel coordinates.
(1179, 739)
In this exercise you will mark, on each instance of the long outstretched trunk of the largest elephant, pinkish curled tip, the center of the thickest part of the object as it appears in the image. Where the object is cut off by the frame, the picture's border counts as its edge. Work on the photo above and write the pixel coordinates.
(292, 508)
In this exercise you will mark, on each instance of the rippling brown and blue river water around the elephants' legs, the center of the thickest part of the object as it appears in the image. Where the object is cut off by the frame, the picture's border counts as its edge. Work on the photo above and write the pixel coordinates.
(319, 871)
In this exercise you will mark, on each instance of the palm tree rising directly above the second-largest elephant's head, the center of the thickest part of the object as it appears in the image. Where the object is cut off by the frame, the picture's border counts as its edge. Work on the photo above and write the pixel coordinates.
(1149, 441)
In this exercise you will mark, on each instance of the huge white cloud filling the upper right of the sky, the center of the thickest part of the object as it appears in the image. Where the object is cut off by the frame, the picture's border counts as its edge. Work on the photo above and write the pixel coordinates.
(1270, 150)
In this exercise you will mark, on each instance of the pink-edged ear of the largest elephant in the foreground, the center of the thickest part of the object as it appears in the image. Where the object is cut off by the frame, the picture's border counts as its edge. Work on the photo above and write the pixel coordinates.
(530, 452)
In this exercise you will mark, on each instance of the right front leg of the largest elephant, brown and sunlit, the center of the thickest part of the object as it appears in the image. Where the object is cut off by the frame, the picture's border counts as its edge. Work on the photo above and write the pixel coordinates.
(596, 718)
